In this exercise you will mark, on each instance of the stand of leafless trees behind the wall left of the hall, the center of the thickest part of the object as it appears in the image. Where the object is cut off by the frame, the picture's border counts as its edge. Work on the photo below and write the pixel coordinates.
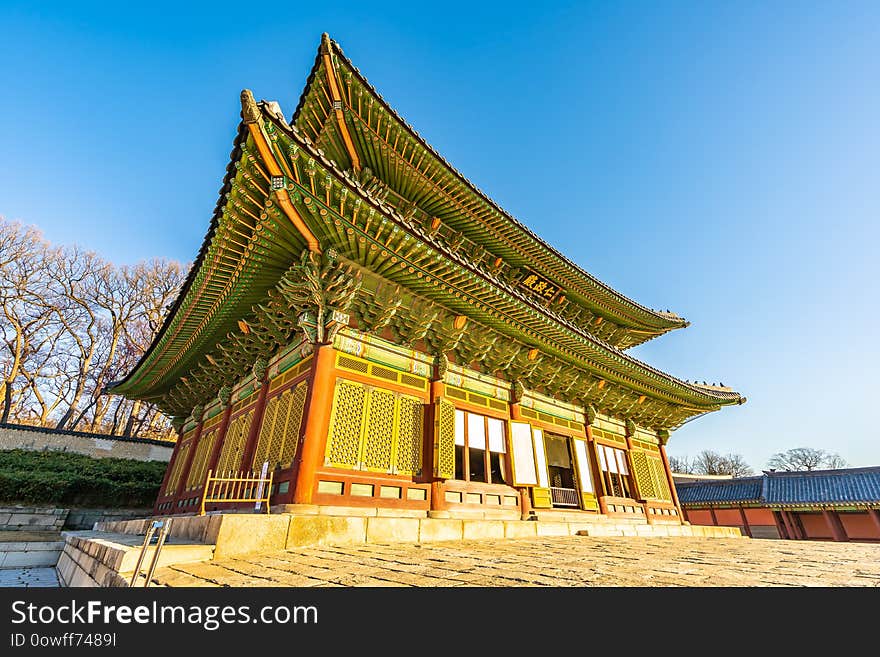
(71, 323)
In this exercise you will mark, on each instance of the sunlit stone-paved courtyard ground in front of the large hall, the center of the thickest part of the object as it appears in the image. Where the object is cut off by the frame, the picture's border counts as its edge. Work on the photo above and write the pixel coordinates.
(562, 561)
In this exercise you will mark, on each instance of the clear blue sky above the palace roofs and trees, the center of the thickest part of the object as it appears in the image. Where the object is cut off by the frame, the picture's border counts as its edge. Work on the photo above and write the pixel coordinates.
(721, 160)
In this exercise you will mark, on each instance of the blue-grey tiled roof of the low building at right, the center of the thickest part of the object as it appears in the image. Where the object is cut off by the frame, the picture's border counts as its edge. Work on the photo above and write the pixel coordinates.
(846, 486)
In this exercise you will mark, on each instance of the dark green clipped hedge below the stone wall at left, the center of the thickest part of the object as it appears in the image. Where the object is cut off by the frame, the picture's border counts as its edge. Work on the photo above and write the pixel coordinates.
(77, 480)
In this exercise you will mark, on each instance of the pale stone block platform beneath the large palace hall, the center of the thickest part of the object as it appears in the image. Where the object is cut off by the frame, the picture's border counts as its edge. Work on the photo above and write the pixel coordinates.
(107, 556)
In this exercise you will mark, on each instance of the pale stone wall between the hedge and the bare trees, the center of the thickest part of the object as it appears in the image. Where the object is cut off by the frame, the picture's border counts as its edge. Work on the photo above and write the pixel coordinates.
(14, 436)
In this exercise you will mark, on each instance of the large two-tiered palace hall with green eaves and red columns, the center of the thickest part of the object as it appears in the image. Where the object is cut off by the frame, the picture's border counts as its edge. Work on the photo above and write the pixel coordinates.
(378, 331)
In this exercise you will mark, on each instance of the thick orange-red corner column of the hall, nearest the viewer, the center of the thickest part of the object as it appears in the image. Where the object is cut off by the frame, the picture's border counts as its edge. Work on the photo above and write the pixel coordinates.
(310, 455)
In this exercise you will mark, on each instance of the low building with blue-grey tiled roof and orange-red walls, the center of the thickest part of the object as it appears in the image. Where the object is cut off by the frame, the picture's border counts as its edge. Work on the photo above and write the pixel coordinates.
(840, 505)
